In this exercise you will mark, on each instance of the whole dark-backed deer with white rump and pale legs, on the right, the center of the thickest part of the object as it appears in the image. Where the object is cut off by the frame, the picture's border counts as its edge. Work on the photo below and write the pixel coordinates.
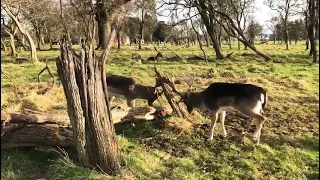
(220, 97)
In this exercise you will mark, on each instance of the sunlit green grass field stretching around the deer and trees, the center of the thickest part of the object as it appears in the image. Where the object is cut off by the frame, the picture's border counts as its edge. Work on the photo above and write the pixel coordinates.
(289, 146)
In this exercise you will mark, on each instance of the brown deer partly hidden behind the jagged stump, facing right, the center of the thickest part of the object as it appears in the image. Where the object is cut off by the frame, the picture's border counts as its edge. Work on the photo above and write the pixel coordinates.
(131, 90)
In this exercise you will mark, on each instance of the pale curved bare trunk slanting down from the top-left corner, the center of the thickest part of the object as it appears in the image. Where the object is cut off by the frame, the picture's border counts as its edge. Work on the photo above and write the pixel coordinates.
(23, 32)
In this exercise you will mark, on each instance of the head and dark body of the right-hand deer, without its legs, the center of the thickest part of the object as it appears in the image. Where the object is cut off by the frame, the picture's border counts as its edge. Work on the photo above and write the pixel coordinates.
(224, 96)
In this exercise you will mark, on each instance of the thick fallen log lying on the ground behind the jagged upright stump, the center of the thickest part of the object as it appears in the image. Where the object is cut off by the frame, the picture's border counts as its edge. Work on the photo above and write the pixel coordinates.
(53, 129)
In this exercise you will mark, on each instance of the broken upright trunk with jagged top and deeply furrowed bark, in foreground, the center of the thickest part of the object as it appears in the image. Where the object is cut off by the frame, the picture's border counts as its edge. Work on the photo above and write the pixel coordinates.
(88, 107)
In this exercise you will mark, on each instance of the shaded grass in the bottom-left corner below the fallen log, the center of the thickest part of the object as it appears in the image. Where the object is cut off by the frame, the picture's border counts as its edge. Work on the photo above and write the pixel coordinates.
(38, 163)
